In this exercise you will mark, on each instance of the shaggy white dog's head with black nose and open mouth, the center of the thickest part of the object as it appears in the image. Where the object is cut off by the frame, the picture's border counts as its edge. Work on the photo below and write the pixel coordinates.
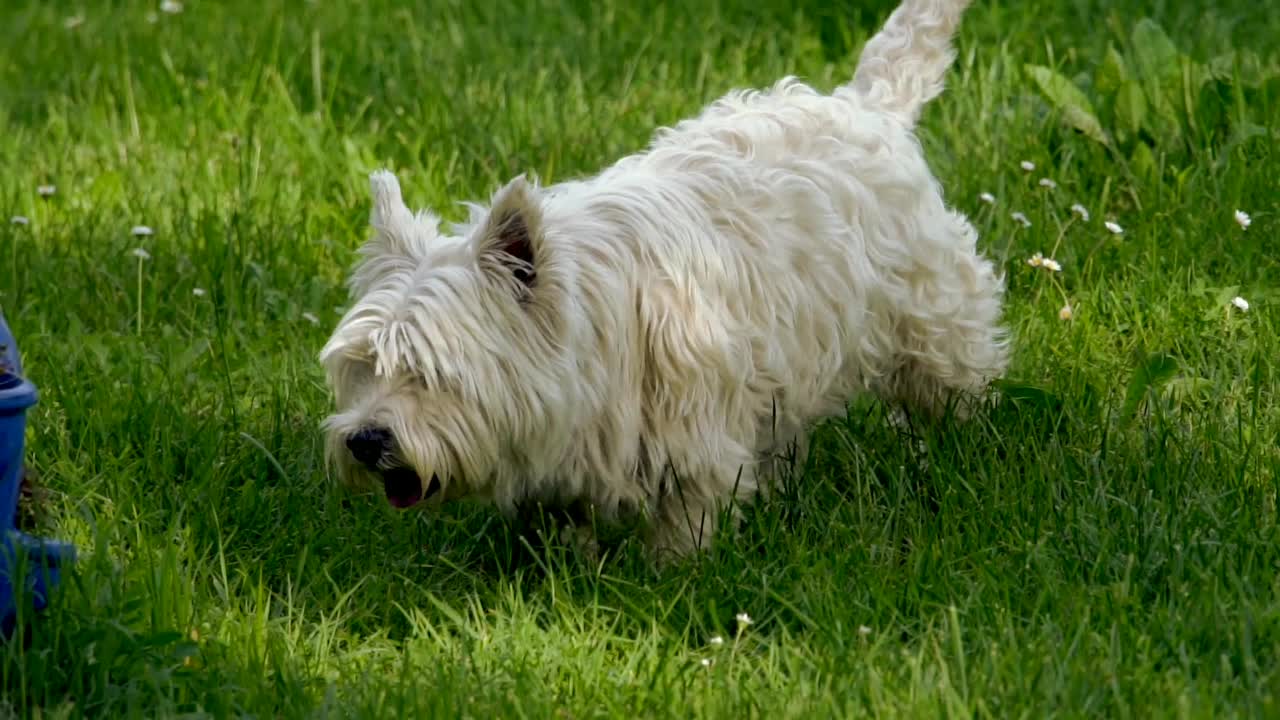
(449, 362)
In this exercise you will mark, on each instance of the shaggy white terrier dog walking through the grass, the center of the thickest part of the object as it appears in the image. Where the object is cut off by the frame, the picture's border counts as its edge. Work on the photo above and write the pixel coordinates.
(647, 339)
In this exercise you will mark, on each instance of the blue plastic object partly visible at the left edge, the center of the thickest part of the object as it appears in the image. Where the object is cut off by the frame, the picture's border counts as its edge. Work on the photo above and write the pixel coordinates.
(29, 566)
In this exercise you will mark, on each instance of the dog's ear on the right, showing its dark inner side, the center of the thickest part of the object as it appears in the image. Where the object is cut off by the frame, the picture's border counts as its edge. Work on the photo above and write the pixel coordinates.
(511, 236)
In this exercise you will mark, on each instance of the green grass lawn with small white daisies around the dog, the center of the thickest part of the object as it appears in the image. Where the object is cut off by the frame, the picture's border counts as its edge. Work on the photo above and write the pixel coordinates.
(1059, 557)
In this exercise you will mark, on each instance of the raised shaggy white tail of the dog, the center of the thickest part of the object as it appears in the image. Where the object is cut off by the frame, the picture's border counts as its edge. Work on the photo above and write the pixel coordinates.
(903, 67)
